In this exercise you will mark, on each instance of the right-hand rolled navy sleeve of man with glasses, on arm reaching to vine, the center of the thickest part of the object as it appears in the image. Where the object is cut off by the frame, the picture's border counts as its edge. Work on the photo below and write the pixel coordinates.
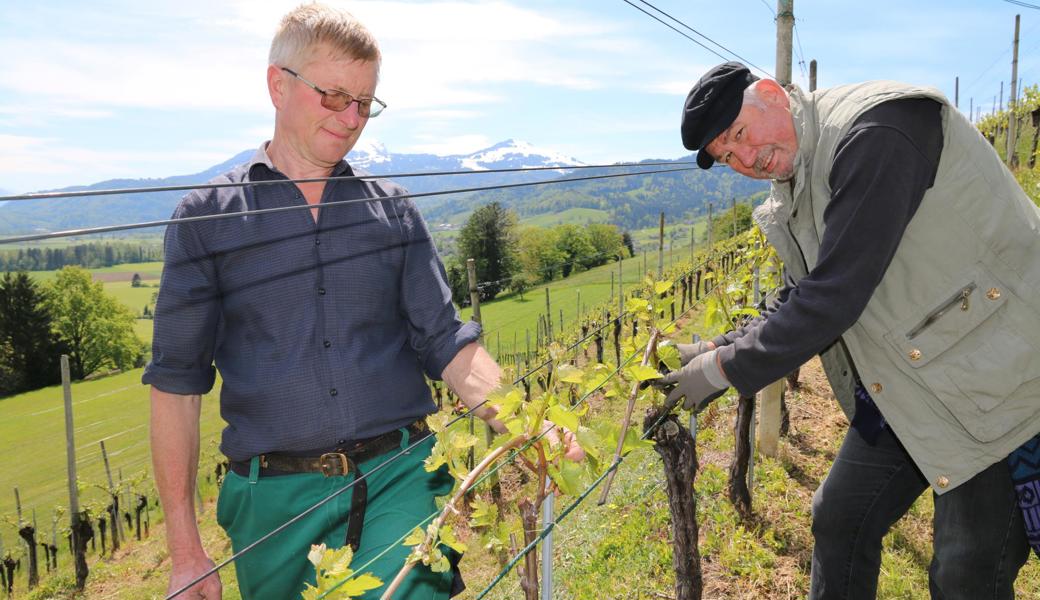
(435, 330)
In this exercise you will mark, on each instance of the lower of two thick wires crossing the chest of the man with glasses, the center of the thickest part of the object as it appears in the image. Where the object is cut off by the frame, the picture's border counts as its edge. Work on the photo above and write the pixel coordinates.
(150, 224)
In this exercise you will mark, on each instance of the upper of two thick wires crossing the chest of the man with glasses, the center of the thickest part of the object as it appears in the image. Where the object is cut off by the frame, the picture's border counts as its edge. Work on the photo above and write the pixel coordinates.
(189, 188)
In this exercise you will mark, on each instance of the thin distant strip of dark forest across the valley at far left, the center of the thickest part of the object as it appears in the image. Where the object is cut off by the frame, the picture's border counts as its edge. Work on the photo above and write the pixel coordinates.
(86, 255)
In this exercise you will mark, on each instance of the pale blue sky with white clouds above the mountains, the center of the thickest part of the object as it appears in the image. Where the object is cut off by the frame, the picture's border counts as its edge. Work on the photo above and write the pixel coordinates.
(107, 89)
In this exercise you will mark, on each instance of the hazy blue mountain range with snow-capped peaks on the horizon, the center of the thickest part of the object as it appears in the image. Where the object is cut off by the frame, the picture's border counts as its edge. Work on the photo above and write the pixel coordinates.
(630, 203)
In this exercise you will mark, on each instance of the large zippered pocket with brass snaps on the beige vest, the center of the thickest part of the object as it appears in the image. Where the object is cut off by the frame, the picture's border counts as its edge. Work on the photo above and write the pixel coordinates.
(971, 350)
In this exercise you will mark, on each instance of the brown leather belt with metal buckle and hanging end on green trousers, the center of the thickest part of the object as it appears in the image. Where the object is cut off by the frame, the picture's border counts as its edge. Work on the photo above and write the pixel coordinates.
(339, 462)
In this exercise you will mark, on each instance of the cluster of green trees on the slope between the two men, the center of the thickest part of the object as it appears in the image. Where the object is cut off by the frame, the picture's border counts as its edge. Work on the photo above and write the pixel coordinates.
(511, 257)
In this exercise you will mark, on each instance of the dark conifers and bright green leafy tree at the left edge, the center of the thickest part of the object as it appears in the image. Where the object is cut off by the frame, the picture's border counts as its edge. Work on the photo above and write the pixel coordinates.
(71, 315)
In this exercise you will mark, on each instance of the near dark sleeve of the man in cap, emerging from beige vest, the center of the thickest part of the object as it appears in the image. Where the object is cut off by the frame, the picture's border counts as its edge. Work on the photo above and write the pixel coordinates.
(881, 172)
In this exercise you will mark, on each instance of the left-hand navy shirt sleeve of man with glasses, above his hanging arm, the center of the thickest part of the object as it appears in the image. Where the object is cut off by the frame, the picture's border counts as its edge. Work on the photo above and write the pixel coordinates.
(187, 312)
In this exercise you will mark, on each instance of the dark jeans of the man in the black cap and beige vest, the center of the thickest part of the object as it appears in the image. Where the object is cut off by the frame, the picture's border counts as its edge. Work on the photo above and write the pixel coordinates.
(979, 542)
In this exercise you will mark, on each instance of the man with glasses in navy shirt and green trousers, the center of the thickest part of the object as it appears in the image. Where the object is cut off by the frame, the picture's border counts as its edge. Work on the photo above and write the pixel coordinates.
(322, 323)
